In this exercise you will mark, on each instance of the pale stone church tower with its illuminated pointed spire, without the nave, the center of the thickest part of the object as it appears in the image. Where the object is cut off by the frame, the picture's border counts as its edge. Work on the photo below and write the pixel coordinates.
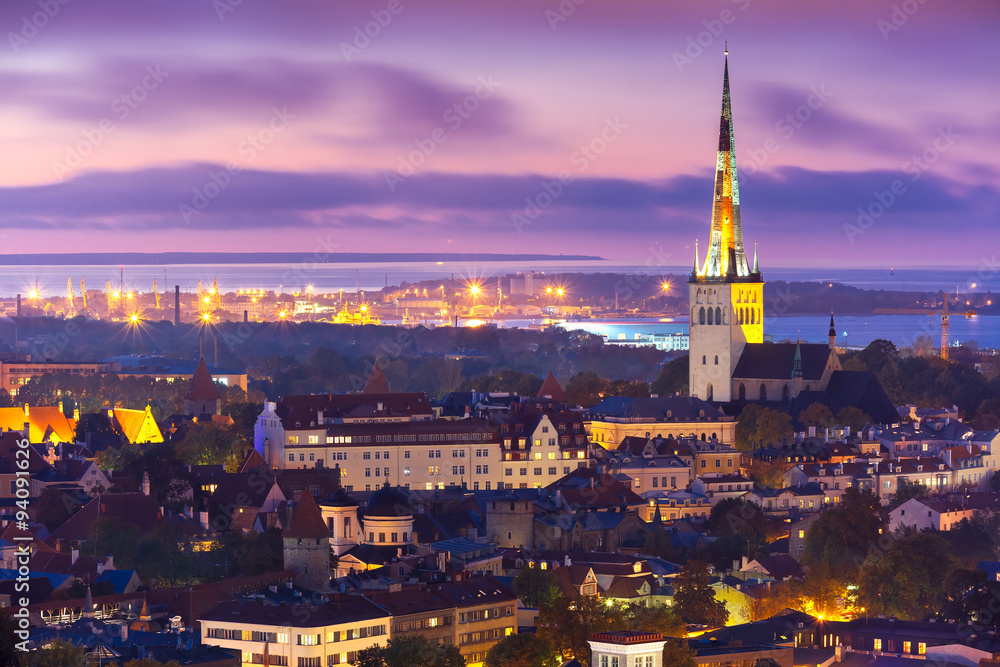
(726, 294)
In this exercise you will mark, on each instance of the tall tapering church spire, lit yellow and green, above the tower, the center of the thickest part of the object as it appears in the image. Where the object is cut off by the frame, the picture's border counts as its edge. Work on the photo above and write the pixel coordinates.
(726, 255)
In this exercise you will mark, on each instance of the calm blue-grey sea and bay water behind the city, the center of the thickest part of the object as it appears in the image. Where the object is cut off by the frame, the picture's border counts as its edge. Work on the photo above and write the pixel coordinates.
(373, 276)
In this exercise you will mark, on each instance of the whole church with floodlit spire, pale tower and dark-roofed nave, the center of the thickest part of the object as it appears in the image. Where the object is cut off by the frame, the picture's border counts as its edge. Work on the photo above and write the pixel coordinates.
(729, 361)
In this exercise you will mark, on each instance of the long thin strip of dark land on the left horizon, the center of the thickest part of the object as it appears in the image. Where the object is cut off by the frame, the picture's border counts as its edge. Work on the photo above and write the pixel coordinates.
(210, 258)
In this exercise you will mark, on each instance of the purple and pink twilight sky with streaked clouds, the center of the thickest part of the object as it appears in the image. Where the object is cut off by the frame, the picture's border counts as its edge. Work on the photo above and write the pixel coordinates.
(866, 130)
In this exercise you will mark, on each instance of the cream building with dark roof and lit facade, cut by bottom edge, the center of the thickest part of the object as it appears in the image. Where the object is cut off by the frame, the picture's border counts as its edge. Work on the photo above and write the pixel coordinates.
(318, 636)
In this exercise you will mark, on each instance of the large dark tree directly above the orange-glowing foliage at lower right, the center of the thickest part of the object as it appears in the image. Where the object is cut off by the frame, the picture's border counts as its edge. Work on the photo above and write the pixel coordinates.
(842, 536)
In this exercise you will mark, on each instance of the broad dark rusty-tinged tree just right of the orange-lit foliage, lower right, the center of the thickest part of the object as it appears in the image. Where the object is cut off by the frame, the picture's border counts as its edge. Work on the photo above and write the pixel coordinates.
(907, 580)
